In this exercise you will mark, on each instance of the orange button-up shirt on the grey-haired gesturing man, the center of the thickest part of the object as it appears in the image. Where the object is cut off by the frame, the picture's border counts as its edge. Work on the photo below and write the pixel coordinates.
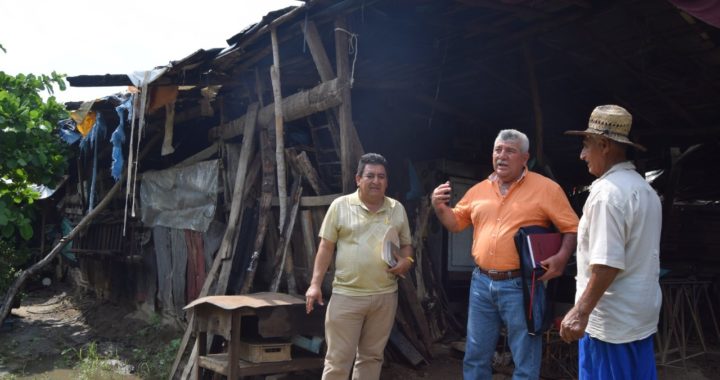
(533, 200)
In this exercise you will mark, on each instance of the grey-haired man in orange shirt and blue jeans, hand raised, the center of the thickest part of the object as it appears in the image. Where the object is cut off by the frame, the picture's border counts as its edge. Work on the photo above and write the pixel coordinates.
(510, 198)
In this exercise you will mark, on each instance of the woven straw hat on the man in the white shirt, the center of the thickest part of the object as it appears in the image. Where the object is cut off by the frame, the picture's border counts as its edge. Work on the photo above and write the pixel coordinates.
(610, 121)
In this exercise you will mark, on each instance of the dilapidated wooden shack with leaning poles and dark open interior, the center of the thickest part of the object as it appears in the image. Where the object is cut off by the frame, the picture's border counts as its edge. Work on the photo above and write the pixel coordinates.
(286, 109)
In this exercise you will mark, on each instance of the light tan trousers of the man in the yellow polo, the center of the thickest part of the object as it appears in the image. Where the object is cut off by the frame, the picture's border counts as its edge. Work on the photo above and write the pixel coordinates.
(357, 328)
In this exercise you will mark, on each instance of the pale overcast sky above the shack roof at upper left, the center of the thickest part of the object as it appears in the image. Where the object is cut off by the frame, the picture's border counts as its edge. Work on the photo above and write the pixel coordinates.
(84, 37)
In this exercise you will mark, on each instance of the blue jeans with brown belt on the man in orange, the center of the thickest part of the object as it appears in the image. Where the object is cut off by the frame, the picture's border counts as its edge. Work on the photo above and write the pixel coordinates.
(492, 304)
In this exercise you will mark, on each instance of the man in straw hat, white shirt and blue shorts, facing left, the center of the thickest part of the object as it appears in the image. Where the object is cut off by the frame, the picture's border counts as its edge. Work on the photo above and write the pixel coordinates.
(618, 296)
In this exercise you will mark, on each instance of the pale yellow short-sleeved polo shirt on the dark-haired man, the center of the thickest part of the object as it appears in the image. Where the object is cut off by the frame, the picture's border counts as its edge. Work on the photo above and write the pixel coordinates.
(358, 233)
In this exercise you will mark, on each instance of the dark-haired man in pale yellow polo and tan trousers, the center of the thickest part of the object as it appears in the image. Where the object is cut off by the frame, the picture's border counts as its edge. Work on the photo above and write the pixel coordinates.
(362, 308)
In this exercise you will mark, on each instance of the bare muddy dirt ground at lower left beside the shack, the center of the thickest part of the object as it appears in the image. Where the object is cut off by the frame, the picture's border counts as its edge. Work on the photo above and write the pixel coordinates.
(55, 327)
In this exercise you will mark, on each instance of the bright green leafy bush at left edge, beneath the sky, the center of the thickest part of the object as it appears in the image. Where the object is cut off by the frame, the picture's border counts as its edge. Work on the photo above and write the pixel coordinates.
(31, 152)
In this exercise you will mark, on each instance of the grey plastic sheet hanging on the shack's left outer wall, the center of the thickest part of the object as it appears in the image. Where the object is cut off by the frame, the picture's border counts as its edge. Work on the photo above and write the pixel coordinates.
(183, 198)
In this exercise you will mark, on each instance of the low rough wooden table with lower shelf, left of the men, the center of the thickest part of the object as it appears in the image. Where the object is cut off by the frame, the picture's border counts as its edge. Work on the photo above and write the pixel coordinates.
(221, 315)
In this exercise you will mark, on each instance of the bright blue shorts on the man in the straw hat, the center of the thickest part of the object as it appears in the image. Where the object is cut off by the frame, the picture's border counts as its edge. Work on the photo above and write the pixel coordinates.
(608, 361)
